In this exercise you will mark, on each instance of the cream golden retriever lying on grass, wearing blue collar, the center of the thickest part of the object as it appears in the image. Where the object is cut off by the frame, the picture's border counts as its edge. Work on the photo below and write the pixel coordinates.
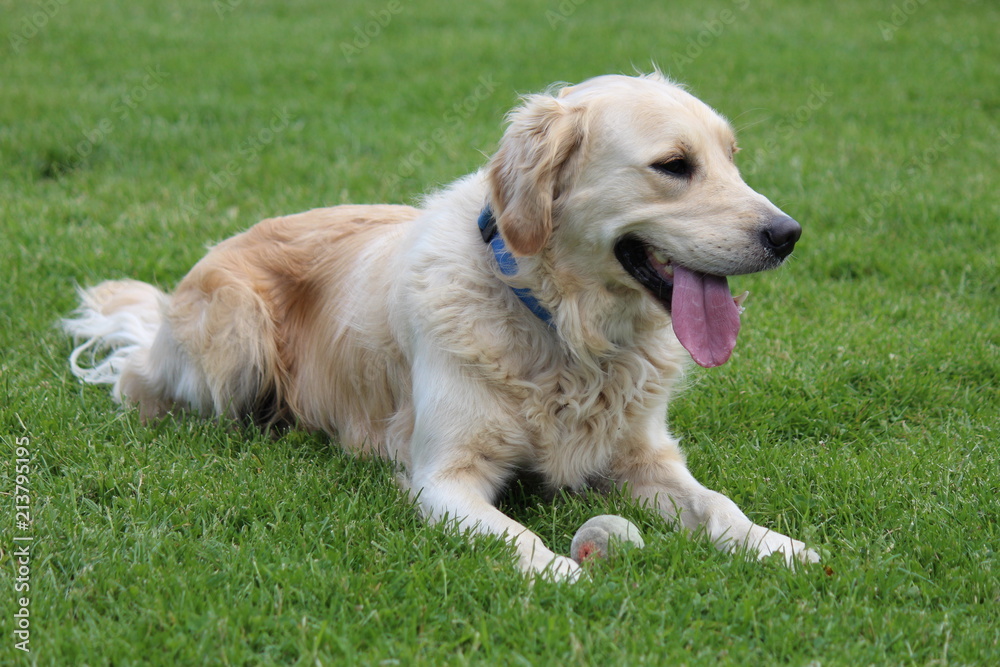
(533, 316)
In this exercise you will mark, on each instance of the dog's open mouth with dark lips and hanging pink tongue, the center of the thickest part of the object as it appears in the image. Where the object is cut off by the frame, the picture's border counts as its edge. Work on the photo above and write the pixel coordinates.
(705, 315)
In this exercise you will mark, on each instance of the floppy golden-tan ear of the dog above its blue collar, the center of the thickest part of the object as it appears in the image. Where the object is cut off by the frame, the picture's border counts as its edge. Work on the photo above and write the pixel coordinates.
(523, 174)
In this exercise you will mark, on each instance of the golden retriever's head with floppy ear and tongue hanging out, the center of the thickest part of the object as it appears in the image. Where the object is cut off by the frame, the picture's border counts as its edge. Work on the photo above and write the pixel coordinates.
(634, 177)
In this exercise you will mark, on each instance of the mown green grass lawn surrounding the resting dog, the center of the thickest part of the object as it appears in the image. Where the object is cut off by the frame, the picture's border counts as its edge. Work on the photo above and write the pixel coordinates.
(861, 410)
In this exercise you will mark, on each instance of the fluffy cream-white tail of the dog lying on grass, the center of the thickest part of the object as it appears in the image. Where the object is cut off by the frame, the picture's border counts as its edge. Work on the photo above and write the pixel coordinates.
(116, 322)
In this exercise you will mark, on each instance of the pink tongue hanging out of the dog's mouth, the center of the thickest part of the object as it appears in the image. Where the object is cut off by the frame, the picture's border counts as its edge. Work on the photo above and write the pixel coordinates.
(705, 317)
